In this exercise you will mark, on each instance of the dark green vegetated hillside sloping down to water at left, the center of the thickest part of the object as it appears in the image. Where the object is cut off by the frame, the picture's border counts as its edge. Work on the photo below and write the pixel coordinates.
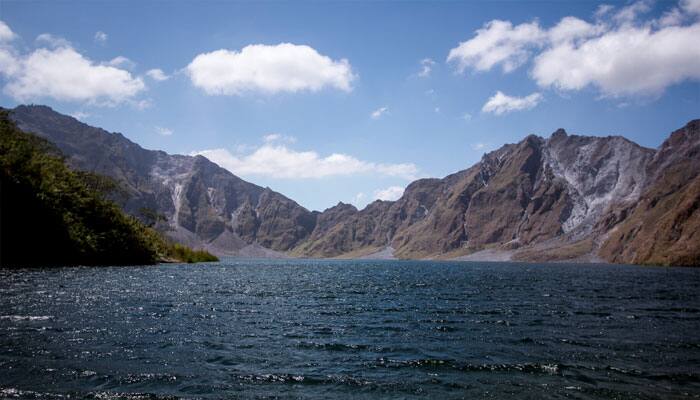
(52, 215)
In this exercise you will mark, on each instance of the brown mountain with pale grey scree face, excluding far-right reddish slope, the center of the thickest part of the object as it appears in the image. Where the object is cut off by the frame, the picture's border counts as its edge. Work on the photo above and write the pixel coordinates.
(539, 194)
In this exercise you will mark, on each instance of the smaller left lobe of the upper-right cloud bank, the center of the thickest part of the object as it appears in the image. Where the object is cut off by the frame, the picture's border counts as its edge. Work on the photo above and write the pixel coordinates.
(497, 43)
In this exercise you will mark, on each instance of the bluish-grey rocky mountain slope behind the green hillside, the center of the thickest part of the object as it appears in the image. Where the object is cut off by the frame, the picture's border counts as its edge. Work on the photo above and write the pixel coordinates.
(204, 205)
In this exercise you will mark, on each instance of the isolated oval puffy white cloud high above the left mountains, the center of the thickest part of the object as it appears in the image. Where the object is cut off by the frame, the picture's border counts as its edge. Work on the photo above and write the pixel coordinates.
(284, 67)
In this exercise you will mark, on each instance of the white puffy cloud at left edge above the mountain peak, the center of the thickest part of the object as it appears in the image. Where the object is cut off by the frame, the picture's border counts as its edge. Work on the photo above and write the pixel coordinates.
(64, 74)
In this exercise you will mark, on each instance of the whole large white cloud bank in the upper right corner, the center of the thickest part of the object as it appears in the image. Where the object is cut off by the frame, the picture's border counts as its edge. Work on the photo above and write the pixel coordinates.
(618, 53)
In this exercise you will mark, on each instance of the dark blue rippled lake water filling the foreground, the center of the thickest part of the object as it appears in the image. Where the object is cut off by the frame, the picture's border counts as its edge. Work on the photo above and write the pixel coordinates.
(341, 329)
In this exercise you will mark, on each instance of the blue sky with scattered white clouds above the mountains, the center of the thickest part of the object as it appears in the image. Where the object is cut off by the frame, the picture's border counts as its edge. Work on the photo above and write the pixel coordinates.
(351, 101)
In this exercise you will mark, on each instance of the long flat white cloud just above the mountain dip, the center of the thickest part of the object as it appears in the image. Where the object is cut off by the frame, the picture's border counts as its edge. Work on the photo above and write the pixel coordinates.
(279, 161)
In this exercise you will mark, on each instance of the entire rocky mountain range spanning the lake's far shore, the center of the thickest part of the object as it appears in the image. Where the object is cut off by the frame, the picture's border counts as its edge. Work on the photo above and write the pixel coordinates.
(562, 198)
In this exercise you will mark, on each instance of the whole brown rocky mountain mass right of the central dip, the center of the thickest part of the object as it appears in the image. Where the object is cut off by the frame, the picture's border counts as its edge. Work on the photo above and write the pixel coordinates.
(564, 198)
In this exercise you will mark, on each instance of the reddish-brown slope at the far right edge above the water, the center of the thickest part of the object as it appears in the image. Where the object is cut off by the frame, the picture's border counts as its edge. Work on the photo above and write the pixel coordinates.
(663, 227)
